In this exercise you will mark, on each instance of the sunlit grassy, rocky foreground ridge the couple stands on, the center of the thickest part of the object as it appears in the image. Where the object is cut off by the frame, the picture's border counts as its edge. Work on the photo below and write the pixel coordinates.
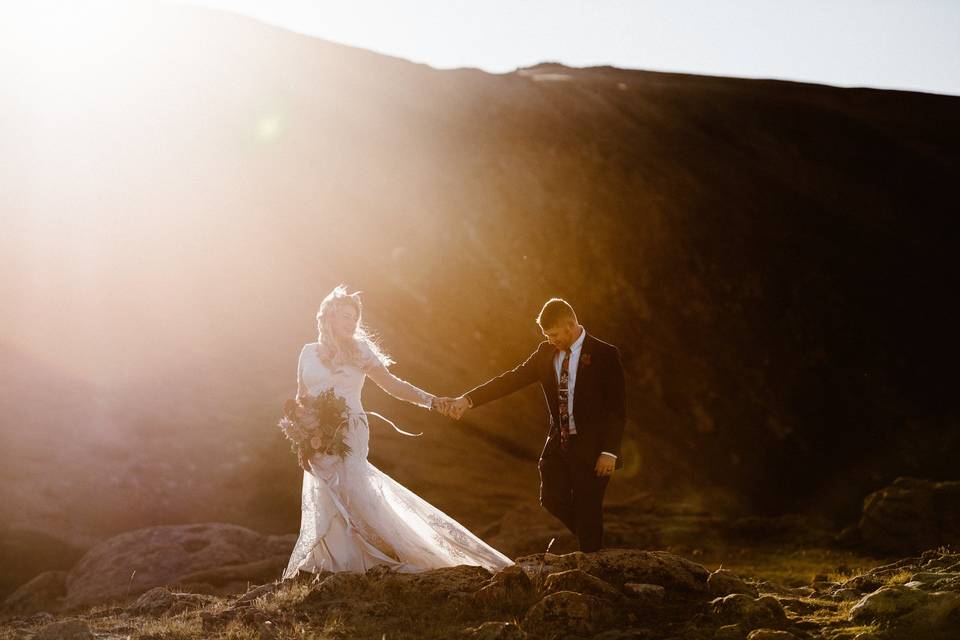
(612, 594)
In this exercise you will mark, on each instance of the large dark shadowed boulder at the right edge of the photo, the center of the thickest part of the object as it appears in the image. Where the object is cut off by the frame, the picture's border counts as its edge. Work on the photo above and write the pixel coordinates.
(911, 515)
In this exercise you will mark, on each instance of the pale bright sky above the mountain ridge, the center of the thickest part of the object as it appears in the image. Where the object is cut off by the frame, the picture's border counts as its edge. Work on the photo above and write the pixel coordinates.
(890, 44)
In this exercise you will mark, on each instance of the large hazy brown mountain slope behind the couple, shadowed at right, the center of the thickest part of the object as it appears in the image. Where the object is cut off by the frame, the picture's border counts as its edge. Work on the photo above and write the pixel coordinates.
(773, 259)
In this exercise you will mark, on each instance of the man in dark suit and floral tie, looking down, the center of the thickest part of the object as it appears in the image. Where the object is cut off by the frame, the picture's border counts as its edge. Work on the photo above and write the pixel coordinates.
(583, 384)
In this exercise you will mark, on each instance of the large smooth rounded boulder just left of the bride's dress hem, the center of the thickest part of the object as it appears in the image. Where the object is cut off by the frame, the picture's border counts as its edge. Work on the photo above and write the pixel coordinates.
(136, 561)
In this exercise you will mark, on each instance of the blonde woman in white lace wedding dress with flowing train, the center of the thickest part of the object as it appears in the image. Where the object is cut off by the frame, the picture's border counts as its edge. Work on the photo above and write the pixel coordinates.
(354, 516)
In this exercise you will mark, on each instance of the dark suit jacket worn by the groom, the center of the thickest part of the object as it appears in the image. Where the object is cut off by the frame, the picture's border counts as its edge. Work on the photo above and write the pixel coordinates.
(598, 397)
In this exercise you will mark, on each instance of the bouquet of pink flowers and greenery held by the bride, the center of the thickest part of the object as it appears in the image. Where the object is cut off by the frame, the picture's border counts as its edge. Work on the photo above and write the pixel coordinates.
(316, 424)
